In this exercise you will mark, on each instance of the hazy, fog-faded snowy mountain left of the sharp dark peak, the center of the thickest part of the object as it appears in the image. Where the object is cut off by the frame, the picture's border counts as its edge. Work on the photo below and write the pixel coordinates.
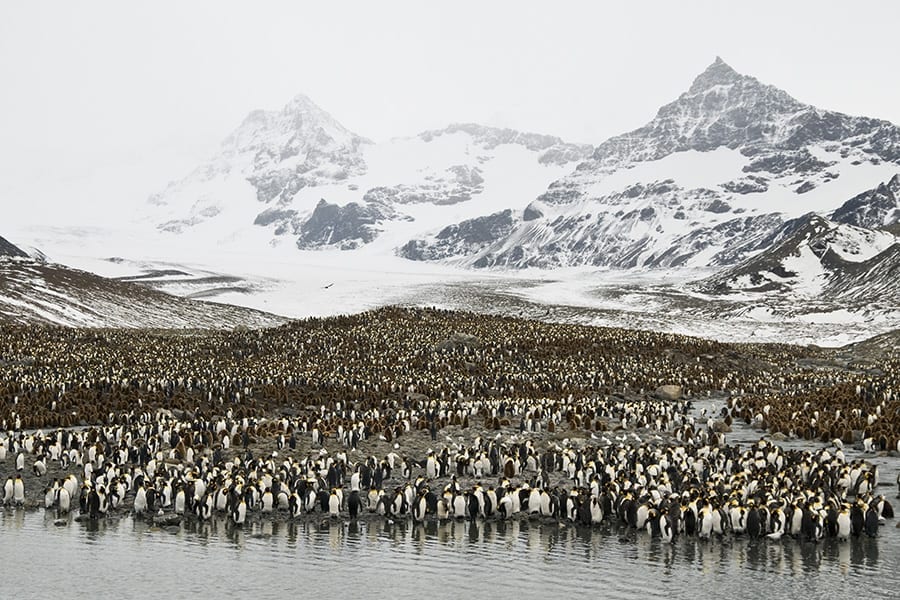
(301, 177)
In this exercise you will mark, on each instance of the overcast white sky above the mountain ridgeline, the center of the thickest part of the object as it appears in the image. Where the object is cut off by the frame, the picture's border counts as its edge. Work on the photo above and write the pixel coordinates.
(106, 102)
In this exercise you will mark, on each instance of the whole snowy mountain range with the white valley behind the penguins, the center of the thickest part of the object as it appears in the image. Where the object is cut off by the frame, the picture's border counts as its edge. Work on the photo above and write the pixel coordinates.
(791, 213)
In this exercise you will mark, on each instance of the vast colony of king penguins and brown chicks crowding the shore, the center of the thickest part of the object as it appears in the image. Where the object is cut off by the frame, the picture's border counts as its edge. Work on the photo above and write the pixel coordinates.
(349, 417)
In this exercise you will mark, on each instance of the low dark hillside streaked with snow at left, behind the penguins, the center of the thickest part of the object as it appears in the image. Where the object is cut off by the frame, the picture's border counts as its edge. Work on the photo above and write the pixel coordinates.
(37, 292)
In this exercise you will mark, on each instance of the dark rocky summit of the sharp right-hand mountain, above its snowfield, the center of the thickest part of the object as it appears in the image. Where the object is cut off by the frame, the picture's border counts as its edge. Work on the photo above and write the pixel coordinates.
(724, 108)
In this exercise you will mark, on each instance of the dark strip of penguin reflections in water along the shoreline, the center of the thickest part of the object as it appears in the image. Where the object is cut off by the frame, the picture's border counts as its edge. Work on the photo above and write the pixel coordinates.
(546, 541)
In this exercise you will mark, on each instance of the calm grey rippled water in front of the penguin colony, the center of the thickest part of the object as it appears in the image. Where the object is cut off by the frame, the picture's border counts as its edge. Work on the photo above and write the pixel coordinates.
(517, 559)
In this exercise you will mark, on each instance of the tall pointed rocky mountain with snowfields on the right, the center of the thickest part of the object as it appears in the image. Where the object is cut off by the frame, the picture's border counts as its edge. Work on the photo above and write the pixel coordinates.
(708, 182)
